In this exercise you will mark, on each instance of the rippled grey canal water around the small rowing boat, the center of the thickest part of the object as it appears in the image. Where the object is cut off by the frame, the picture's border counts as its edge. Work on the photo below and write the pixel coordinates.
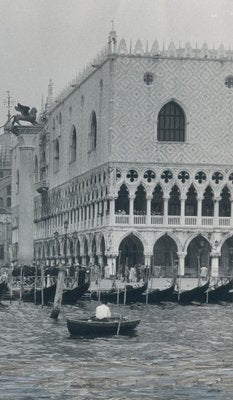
(178, 352)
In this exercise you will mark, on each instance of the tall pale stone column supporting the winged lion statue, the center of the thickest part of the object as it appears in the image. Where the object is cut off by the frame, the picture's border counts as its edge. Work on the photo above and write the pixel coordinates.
(26, 136)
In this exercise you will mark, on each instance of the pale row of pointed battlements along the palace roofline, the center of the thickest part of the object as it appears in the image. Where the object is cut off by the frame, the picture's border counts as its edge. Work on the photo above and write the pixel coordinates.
(140, 50)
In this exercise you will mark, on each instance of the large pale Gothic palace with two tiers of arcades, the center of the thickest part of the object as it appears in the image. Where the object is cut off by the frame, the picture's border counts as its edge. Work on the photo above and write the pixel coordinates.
(136, 157)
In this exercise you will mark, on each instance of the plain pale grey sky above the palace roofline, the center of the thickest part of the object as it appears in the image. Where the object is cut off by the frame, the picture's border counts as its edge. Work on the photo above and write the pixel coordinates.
(54, 39)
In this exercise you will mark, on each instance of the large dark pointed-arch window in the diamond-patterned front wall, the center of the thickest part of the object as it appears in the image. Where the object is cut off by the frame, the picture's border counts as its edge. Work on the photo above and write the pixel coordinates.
(171, 123)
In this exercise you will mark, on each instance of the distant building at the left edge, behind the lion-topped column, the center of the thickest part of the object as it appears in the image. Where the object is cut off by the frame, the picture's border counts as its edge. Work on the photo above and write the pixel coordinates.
(5, 198)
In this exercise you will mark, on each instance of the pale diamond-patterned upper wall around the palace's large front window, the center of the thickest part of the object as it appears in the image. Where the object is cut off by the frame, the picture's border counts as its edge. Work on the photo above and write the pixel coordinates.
(198, 86)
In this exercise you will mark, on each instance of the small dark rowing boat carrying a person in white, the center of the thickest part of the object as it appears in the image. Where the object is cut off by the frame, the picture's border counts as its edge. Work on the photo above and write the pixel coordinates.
(93, 327)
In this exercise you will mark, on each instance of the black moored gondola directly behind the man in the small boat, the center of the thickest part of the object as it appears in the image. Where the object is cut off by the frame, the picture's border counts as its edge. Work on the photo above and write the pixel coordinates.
(128, 295)
